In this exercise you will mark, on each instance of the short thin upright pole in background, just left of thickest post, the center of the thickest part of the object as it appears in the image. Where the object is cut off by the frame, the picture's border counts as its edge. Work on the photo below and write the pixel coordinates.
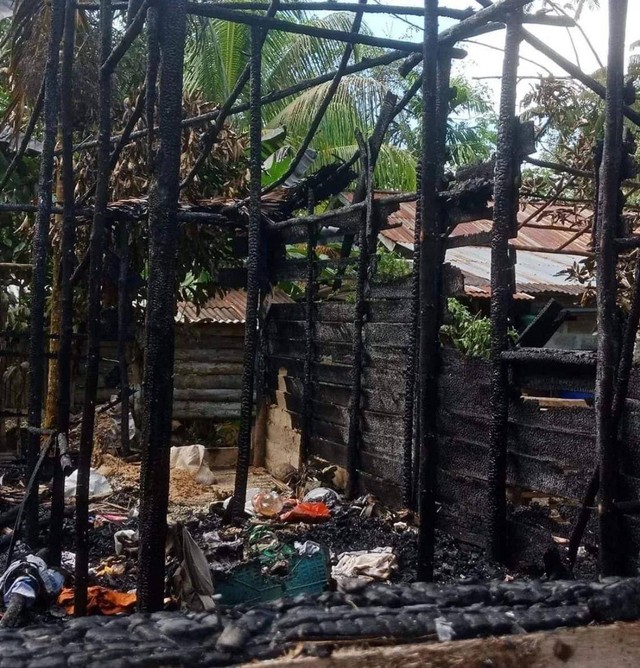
(123, 329)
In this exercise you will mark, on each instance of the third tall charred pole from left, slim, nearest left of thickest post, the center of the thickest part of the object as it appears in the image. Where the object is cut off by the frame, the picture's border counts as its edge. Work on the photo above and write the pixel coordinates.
(96, 250)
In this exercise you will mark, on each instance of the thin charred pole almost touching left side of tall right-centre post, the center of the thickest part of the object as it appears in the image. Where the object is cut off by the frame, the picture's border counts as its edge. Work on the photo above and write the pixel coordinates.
(410, 458)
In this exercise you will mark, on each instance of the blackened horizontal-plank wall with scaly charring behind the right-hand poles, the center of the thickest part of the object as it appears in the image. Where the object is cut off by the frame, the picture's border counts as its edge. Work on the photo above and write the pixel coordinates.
(551, 443)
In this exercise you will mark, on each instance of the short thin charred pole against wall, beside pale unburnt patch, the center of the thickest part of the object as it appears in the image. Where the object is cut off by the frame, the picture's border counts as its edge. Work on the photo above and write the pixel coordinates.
(309, 332)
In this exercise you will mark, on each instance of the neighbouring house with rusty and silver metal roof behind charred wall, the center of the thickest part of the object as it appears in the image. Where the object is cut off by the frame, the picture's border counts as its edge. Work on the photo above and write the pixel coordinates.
(550, 240)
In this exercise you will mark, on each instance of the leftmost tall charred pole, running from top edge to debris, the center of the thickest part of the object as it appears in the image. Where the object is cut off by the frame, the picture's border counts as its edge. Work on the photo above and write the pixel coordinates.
(40, 253)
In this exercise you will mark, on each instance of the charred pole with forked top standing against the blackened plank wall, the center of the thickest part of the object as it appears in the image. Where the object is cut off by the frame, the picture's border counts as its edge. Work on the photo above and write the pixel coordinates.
(357, 347)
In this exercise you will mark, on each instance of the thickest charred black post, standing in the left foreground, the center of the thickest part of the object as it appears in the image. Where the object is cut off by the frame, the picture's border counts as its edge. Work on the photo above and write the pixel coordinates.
(157, 383)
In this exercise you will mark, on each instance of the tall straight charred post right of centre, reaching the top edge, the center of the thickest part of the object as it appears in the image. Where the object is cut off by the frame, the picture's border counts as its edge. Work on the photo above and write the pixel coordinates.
(430, 295)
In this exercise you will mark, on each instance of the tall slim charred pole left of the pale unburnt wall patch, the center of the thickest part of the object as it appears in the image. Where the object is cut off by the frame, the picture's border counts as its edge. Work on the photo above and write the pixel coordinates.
(253, 268)
